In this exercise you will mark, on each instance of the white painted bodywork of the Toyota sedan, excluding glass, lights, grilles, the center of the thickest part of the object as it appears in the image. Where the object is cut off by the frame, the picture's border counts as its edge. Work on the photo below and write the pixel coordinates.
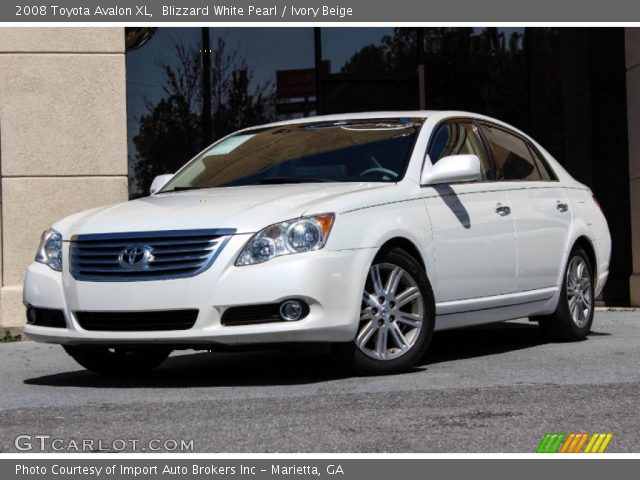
(493, 269)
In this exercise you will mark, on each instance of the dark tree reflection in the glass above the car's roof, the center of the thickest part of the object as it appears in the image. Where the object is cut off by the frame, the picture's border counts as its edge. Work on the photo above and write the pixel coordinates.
(465, 69)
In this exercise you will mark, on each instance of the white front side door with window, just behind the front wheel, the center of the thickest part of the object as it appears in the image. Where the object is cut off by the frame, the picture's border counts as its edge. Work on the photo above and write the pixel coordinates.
(473, 231)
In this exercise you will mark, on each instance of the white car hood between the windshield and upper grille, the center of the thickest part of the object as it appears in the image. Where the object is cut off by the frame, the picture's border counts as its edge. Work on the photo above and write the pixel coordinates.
(246, 209)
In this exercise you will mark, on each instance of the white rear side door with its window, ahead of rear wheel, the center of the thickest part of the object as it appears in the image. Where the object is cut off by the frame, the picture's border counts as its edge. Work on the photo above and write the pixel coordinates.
(540, 209)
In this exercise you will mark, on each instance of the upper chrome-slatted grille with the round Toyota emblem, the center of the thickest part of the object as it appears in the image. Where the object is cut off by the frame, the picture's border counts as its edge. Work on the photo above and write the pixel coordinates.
(125, 257)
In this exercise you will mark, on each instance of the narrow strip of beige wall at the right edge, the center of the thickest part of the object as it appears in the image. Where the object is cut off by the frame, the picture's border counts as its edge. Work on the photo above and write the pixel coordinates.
(633, 113)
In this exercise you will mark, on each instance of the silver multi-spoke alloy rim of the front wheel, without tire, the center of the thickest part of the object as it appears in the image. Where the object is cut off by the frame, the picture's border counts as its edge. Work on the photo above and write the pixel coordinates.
(392, 313)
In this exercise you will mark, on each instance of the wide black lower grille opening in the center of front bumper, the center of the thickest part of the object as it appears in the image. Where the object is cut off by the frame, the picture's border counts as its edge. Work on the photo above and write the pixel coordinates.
(137, 321)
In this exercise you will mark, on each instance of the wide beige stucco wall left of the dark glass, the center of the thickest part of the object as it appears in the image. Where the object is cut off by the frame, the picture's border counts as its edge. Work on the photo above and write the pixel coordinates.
(63, 138)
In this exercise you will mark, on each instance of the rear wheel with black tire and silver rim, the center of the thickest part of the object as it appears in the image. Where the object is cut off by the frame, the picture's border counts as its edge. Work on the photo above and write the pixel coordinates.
(573, 317)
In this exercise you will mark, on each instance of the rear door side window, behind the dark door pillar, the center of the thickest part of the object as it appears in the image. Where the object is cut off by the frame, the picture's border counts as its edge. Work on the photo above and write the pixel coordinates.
(511, 154)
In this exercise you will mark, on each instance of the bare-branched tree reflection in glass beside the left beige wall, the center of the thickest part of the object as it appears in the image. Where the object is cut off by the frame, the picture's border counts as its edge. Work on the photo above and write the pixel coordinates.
(171, 131)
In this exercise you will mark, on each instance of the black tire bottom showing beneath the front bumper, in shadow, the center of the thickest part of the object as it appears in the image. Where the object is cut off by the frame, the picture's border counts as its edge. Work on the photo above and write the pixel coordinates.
(117, 360)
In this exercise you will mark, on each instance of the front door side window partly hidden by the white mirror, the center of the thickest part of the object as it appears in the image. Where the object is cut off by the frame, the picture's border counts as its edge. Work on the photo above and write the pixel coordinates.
(459, 138)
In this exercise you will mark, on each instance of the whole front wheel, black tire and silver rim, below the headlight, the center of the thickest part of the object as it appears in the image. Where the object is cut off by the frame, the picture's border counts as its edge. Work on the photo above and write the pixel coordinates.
(396, 317)
